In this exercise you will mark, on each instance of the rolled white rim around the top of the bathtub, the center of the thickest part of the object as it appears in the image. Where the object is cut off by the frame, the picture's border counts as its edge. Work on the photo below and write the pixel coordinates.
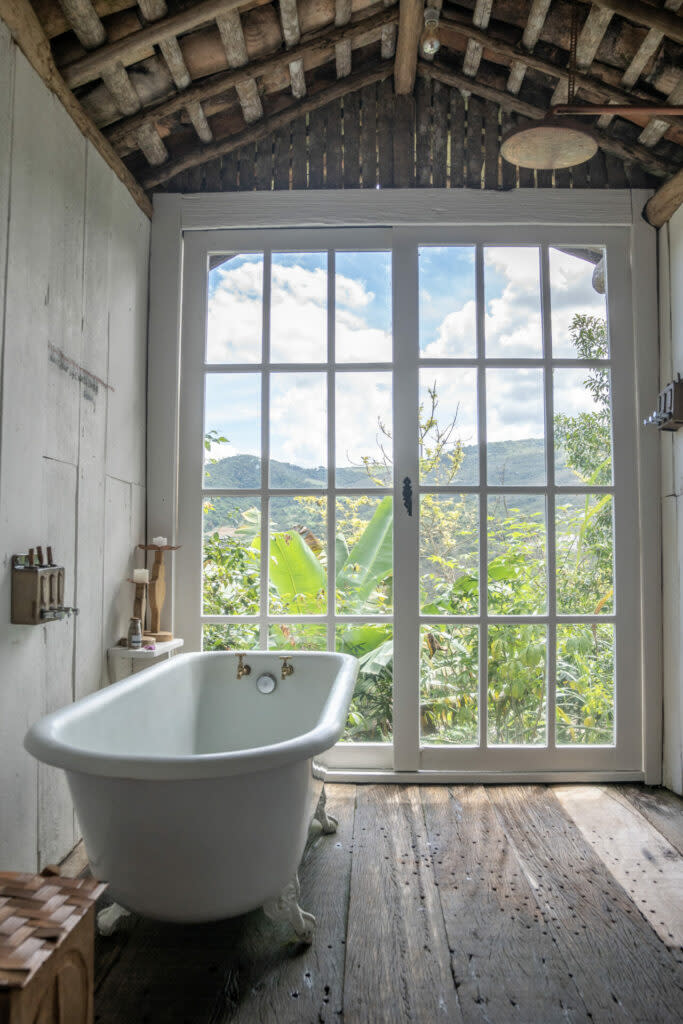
(46, 743)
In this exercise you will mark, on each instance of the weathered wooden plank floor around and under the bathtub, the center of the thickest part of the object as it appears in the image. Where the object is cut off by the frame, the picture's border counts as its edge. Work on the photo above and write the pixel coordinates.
(483, 905)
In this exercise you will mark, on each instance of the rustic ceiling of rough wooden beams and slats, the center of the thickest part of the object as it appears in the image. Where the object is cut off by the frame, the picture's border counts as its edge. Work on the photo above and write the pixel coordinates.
(175, 84)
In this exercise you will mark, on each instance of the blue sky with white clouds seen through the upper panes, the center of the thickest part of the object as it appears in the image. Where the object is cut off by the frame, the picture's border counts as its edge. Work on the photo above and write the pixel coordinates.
(363, 298)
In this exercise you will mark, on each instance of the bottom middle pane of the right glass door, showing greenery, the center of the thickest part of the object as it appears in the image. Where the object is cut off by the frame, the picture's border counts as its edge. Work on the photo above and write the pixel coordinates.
(518, 685)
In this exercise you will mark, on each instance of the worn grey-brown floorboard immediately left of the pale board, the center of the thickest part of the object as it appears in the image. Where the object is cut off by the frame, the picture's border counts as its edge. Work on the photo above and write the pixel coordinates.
(622, 969)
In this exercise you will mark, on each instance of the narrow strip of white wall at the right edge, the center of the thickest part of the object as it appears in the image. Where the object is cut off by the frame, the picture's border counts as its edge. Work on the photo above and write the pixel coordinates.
(671, 317)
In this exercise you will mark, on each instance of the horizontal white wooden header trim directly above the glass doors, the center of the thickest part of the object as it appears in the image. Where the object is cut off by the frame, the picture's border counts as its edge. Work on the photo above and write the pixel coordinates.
(403, 208)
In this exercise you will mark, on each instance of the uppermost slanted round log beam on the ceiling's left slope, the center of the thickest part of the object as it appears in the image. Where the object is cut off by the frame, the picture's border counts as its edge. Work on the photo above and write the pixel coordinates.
(125, 51)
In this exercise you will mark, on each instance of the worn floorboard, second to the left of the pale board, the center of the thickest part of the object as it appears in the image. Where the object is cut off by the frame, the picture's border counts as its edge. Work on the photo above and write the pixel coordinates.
(505, 964)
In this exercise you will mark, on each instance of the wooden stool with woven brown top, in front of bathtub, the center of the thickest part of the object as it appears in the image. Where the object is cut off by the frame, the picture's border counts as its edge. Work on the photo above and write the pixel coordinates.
(47, 949)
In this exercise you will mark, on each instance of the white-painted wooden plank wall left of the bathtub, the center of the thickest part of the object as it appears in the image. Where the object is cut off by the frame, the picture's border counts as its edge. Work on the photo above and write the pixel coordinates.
(74, 264)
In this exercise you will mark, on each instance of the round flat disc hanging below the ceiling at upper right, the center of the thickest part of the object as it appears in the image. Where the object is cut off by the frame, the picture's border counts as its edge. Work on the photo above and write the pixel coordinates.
(549, 146)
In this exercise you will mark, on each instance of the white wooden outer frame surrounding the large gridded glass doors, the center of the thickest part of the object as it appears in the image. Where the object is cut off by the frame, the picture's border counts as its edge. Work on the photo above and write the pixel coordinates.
(556, 218)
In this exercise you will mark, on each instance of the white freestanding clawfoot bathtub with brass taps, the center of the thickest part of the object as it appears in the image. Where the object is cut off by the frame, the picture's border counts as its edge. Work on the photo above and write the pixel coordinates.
(195, 790)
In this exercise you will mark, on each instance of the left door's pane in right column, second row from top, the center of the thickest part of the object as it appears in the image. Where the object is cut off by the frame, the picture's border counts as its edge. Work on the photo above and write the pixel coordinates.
(364, 443)
